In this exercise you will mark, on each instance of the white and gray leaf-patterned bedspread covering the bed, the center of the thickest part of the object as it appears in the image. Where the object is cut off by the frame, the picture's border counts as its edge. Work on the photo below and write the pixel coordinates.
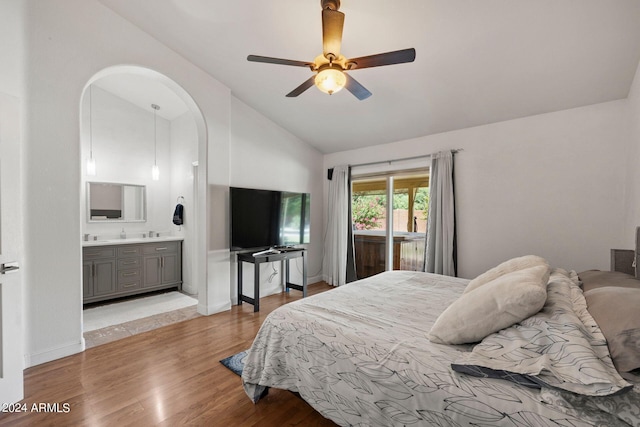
(359, 355)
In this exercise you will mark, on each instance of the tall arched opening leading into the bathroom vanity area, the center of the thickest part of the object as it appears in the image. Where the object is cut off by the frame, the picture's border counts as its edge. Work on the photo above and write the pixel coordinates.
(123, 154)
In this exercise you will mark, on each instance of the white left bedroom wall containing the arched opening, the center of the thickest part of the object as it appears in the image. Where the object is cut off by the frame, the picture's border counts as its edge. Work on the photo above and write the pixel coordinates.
(68, 44)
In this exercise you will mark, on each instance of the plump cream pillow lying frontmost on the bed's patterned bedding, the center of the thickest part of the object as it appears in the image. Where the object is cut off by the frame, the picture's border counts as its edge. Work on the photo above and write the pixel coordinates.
(496, 305)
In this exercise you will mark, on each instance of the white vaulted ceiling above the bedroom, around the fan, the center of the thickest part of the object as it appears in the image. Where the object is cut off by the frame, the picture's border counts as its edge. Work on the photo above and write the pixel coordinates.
(477, 61)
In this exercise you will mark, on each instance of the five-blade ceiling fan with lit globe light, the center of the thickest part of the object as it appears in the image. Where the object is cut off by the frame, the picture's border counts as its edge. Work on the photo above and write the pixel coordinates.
(331, 66)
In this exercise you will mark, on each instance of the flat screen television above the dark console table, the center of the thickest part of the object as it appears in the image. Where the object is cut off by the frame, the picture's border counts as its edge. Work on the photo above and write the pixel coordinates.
(267, 218)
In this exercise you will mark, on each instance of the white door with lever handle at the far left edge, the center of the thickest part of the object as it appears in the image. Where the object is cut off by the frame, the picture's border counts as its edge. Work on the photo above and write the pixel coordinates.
(11, 329)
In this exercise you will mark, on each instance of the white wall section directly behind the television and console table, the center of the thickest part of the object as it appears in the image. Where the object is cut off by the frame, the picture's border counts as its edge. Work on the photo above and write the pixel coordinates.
(264, 156)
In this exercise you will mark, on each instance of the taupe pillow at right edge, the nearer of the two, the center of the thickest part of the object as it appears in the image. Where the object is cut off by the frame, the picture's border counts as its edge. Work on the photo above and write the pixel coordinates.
(616, 310)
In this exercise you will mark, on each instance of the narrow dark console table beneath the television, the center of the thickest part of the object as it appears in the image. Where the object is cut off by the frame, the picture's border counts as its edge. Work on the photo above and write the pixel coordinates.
(284, 256)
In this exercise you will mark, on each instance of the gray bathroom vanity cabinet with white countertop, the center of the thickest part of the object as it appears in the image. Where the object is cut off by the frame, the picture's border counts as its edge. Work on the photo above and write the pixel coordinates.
(123, 267)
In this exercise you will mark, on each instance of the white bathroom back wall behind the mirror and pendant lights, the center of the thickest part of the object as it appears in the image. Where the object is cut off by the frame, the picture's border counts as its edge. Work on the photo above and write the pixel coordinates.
(123, 148)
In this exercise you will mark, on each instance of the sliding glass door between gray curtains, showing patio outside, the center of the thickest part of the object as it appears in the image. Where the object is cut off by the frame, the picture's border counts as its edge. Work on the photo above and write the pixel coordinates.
(389, 237)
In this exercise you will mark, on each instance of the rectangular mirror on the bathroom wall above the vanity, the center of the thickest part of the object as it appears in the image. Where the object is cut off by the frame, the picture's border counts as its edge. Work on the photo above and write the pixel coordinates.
(113, 202)
